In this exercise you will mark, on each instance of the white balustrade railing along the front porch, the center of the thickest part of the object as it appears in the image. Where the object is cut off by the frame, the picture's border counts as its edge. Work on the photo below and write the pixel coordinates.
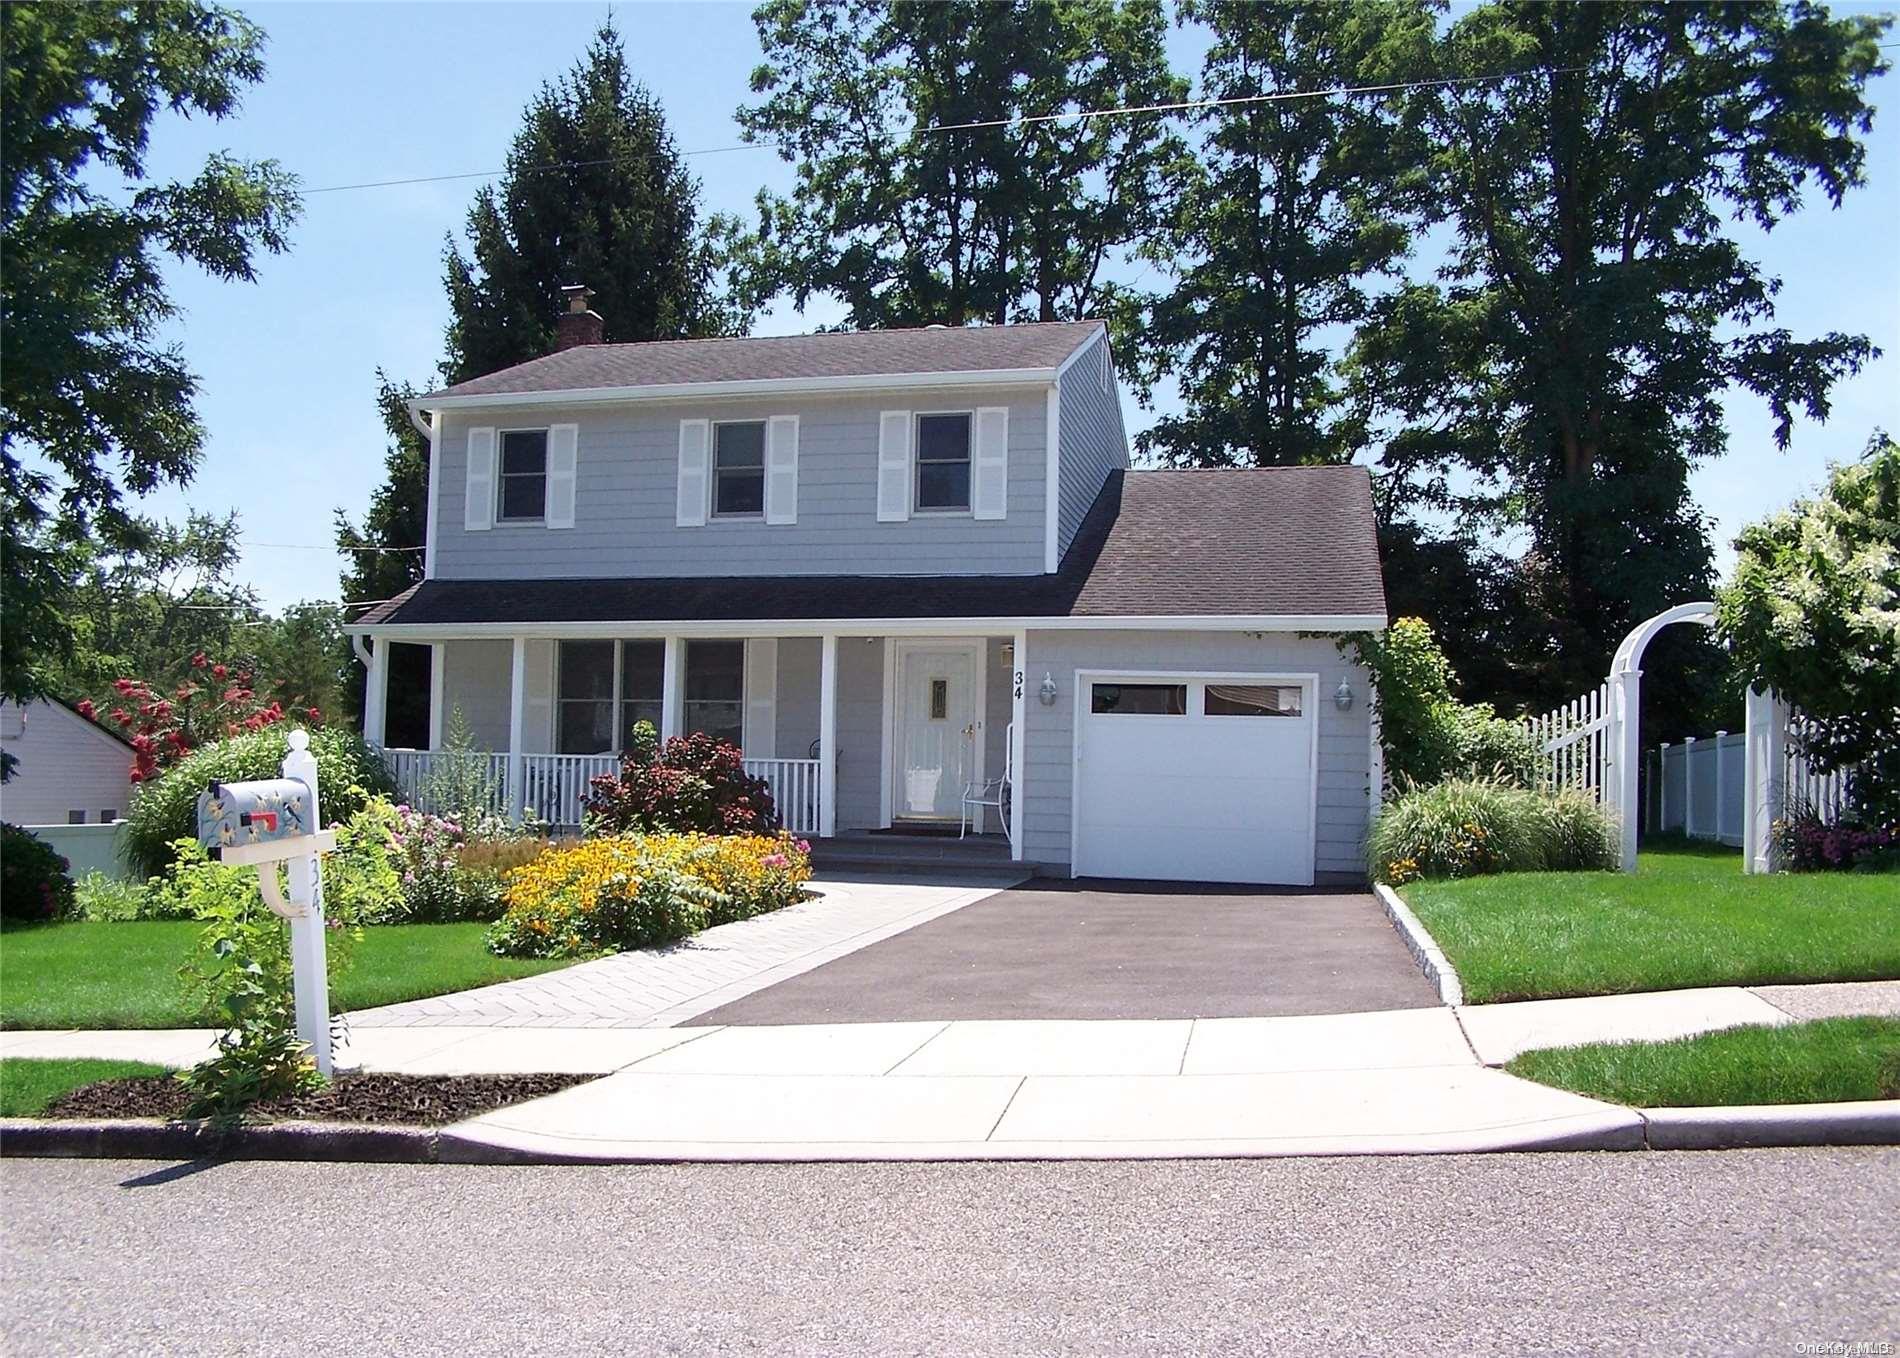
(554, 787)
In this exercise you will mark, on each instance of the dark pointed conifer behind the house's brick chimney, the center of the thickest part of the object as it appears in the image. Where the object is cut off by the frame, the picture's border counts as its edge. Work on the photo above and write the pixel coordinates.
(596, 193)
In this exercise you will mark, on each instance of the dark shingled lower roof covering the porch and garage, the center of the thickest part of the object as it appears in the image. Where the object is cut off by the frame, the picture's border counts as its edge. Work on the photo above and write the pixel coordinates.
(1280, 542)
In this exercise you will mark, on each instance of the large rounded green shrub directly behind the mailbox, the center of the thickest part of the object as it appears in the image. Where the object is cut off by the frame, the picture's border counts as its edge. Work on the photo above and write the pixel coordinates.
(166, 808)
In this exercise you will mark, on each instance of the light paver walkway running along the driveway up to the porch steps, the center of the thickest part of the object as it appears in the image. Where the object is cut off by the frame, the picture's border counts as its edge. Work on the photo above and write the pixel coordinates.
(664, 987)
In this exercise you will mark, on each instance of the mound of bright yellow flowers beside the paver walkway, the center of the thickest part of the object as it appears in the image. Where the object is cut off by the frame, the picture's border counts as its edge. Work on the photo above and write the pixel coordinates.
(634, 892)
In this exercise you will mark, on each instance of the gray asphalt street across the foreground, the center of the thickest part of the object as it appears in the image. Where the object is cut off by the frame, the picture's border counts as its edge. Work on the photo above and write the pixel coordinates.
(1728, 1253)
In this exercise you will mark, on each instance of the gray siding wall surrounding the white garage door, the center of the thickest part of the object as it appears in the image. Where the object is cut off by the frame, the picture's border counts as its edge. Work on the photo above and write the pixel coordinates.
(1050, 736)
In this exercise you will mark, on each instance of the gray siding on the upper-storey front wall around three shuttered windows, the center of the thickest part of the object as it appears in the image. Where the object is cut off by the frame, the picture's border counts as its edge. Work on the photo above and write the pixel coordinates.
(628, 493)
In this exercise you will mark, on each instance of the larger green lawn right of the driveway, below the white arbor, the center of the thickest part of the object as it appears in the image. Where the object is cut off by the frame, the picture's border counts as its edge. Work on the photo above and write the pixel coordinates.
(1686, 918)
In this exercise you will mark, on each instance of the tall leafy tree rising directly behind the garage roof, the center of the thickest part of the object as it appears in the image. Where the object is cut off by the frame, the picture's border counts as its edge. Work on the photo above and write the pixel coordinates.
(1276, 231)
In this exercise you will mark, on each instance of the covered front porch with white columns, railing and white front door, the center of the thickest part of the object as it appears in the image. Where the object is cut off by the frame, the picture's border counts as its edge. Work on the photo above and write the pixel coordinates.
(852, 732)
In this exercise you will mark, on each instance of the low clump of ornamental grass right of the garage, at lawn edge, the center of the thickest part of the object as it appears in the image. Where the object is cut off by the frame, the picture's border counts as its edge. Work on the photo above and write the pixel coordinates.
(1472, 827)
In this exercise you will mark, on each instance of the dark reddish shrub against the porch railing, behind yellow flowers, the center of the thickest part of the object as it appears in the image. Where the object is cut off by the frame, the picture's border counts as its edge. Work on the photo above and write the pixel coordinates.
(689, 783)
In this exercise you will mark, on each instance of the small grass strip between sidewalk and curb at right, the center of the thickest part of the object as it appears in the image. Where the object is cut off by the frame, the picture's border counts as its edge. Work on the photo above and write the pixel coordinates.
(1833, 1061)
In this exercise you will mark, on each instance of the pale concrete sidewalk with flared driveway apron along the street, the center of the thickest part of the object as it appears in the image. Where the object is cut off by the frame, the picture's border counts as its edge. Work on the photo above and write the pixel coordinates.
(1392, 1082)
